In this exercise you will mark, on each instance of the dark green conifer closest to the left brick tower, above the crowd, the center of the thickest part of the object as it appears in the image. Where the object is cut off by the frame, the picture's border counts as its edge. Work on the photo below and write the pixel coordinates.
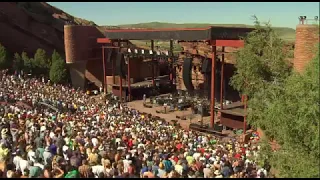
(58, 71)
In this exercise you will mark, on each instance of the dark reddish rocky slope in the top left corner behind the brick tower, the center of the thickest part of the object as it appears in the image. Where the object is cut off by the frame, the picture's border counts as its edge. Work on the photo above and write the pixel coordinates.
(27, 26)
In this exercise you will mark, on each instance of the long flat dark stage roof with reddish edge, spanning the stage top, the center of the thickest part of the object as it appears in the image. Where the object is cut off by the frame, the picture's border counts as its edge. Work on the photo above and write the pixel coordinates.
(195, 34)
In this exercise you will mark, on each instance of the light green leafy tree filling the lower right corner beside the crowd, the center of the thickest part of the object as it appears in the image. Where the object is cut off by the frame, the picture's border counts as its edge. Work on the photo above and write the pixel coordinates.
(289, 113)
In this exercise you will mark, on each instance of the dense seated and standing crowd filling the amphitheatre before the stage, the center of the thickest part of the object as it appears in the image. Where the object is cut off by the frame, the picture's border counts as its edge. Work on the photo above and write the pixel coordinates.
(102, 139)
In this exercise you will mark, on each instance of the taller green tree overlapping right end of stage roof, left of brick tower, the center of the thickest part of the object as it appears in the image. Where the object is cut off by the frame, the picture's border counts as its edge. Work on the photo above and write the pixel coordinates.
(261, 61)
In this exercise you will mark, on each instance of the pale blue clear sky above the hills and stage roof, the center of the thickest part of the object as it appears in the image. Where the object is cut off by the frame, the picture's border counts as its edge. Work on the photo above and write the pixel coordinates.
(280, 14)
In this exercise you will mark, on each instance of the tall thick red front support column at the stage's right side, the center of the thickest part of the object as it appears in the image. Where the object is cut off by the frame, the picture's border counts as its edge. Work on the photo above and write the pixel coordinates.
(213, 70)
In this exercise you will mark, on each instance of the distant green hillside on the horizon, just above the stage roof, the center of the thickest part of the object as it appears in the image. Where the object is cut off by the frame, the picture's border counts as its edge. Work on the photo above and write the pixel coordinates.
(287, 34)
